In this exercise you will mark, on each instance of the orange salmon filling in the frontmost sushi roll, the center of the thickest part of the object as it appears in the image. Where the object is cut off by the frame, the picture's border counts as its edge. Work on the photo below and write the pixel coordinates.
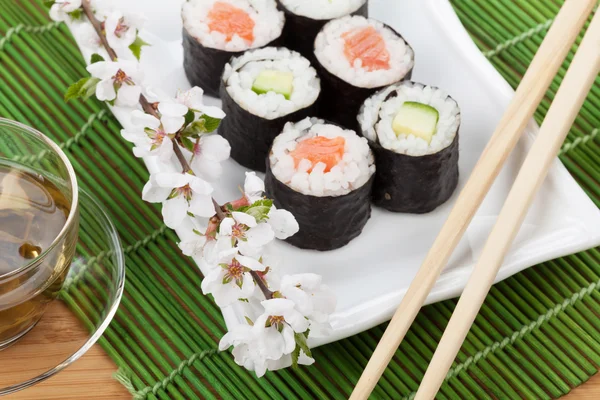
(320, 149)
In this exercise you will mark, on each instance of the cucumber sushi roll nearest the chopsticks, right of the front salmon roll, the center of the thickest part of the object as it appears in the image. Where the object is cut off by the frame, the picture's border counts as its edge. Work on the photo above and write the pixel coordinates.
(413, 131)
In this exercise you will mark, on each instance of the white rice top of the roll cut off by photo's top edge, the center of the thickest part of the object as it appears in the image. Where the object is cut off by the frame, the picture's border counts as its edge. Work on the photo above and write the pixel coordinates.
(323, 9)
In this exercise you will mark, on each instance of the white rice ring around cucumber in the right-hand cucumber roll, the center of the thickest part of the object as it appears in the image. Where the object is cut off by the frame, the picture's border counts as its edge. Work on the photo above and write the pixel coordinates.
(377, 115)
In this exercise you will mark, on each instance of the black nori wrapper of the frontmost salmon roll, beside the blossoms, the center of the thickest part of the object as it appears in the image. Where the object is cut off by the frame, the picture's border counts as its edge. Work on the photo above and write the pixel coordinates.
(326, 223)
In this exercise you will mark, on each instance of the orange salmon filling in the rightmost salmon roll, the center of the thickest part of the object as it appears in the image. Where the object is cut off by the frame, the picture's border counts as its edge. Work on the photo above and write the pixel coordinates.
(368, 45)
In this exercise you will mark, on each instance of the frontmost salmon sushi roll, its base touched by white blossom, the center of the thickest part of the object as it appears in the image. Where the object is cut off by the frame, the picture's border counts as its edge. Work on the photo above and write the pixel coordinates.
(323, 175)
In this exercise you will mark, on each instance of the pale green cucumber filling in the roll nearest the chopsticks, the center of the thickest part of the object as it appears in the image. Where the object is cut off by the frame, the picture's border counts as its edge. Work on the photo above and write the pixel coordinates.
(416, 119)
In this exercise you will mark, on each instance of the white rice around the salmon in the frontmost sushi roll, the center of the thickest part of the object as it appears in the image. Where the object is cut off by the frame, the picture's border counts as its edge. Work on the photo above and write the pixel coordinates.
(351, 173)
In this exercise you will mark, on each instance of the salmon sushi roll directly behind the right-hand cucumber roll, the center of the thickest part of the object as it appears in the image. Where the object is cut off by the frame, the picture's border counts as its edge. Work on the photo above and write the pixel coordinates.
(356, 57)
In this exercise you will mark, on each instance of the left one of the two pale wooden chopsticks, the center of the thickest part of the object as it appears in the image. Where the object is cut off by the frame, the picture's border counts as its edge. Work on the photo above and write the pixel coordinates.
(530, 92)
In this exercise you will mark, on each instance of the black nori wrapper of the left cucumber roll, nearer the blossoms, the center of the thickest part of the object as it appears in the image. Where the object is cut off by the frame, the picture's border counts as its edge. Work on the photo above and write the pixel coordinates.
(251, 136)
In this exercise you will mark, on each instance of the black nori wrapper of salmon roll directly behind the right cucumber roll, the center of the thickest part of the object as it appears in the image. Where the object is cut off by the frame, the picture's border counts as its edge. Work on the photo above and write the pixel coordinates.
(340, 101)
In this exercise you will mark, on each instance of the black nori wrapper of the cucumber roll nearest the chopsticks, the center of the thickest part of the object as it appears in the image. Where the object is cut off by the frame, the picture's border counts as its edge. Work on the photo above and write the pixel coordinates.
(414, 184)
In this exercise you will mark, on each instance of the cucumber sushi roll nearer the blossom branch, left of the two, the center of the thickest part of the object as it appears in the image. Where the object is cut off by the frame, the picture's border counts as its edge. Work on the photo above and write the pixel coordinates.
(261, 91)
